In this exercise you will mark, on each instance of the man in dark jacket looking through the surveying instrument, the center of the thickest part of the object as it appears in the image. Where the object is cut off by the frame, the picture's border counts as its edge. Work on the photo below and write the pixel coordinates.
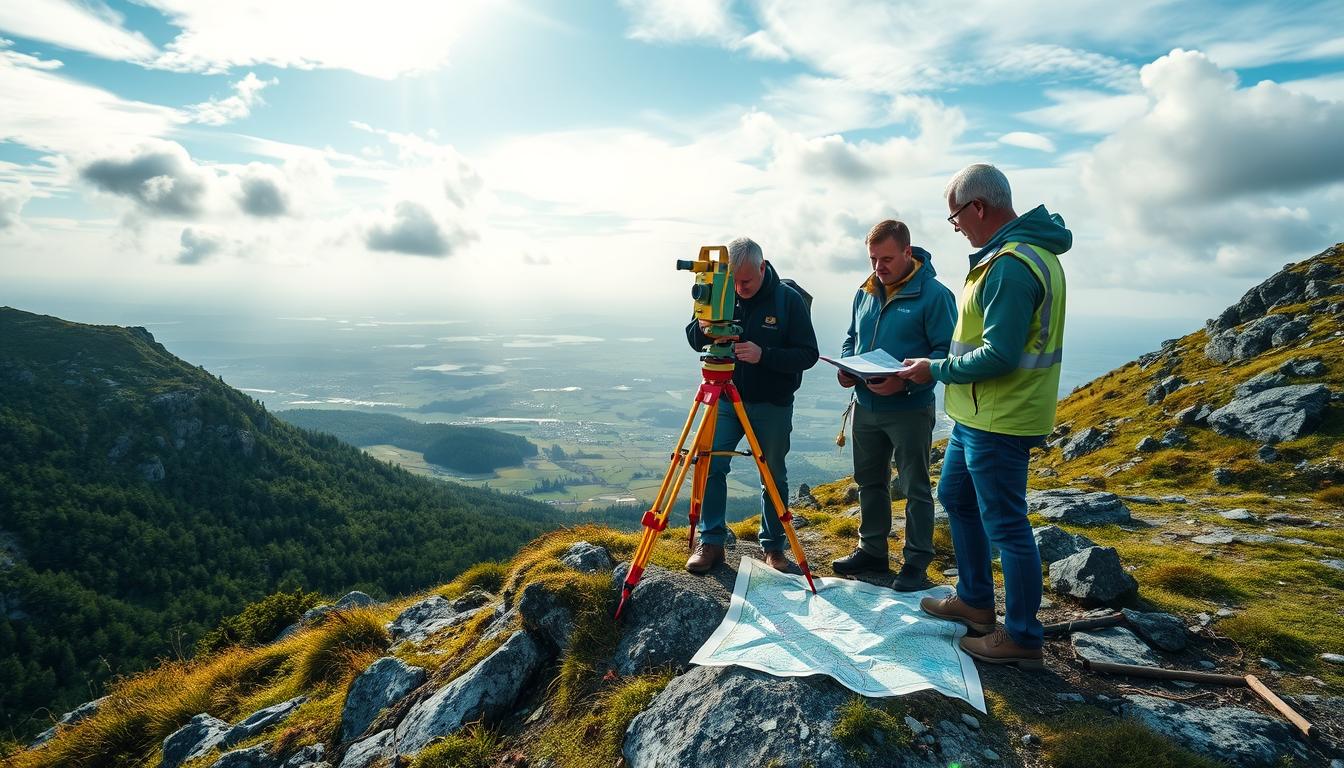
(776, 346)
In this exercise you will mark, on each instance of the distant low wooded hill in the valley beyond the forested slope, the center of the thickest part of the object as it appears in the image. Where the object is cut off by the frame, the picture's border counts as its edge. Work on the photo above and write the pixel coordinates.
(464, 449)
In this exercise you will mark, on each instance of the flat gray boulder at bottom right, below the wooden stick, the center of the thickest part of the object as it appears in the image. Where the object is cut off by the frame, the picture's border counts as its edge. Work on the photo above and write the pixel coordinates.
(1226, 734)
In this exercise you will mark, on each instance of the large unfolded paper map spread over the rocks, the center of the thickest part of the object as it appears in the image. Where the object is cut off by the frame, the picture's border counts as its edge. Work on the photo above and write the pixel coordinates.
(874, 641)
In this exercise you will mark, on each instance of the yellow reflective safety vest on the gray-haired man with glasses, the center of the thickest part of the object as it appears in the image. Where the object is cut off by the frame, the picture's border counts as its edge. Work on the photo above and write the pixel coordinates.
(1021, 403)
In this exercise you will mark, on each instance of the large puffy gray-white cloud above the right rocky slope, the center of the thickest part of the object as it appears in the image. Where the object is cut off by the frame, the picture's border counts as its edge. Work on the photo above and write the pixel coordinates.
(1218, 174)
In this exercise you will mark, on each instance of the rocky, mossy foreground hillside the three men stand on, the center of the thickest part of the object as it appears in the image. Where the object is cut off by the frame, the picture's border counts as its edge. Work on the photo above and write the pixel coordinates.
(1202, 551)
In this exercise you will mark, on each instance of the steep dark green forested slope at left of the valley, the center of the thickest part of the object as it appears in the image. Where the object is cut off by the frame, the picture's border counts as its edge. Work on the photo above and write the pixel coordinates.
(142, 500)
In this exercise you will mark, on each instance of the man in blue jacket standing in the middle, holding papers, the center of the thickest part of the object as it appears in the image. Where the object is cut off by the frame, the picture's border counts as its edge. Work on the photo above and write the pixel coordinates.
(905, 311)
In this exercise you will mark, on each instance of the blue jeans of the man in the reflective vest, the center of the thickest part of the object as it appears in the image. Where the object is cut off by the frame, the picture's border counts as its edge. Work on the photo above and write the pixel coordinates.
(984, 490)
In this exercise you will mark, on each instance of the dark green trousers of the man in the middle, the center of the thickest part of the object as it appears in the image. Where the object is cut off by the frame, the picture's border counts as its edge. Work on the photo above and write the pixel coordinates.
(882, 439)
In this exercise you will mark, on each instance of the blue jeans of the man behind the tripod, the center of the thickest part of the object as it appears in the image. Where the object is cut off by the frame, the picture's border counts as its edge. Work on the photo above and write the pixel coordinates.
(772, 426)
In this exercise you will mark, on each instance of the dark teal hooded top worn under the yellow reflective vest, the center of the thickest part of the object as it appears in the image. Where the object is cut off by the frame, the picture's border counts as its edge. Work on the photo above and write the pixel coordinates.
(1010, 295)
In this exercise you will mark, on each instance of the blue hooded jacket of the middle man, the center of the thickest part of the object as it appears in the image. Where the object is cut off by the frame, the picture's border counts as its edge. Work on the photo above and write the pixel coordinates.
(917, 323)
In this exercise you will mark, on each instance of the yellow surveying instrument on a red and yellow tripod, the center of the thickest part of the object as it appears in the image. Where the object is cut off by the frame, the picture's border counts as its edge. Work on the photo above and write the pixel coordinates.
(716, 299)
